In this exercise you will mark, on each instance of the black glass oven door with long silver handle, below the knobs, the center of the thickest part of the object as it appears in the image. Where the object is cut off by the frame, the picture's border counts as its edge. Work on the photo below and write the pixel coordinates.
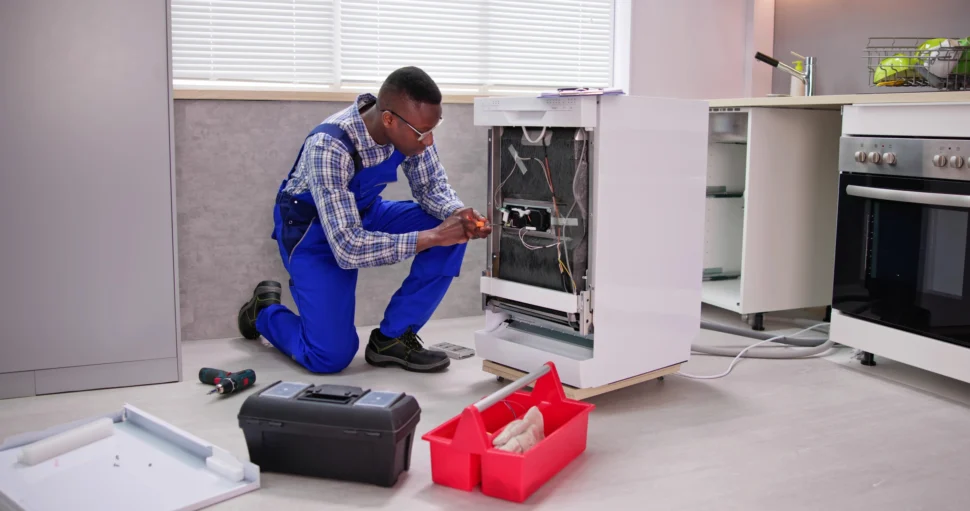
(902, 254)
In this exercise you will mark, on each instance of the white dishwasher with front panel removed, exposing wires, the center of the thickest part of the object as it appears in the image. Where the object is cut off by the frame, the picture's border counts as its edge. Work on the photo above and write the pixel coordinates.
(596, 259)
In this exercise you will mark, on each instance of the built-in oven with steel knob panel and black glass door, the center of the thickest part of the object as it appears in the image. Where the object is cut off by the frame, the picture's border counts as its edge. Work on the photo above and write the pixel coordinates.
(902, 256)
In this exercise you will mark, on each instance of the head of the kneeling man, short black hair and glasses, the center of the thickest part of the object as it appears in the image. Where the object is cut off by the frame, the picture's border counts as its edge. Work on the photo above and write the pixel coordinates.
(410, 105)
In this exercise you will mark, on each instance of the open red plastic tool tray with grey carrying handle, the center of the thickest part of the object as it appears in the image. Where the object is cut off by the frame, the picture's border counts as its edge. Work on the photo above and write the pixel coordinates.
(462, 455)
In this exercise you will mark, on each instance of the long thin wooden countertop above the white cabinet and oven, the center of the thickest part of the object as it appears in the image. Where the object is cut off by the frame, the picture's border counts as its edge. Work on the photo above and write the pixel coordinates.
(835, 102)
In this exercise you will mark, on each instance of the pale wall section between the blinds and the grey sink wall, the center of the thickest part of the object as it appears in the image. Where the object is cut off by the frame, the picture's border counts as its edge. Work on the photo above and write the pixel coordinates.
(700, 49)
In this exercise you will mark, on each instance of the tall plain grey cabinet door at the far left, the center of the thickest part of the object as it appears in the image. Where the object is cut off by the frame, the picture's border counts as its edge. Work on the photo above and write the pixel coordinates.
(86, 258)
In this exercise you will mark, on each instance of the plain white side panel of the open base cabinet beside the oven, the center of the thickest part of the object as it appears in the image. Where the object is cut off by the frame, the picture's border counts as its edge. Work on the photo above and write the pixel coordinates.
(791, 194)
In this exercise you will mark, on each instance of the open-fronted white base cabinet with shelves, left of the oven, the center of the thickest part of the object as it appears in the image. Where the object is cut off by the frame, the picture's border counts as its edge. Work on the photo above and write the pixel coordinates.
(772, 189)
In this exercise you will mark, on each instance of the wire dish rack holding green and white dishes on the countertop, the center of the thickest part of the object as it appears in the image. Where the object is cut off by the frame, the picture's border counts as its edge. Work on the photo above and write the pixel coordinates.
(939, 63)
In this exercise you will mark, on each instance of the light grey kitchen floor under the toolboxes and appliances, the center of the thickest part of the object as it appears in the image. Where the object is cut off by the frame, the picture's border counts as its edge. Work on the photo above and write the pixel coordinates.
(800, 434)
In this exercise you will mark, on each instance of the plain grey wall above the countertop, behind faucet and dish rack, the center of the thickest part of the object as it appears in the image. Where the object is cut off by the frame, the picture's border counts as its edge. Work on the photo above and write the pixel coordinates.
(836, 31)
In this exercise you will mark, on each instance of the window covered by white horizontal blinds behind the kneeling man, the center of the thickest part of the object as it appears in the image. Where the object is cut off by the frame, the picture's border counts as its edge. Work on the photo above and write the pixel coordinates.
(470, 46)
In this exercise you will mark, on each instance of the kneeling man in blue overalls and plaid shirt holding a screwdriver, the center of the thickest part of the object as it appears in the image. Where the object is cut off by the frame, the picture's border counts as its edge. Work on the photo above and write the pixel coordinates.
(330, 221)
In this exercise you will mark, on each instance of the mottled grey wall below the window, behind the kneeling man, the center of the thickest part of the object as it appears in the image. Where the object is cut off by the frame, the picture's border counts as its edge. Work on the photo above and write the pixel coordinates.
(230, 158)
